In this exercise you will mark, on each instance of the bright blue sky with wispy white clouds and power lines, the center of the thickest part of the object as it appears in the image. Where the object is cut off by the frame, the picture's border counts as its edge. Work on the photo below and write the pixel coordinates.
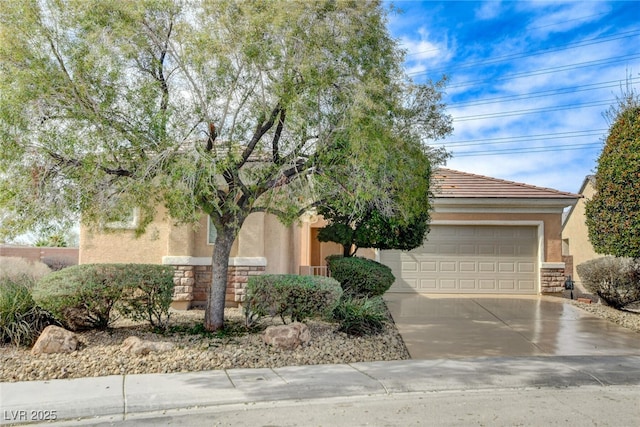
(528, 82)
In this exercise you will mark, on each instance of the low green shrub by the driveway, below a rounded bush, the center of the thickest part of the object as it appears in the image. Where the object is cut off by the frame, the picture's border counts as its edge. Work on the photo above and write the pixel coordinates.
(361, 315)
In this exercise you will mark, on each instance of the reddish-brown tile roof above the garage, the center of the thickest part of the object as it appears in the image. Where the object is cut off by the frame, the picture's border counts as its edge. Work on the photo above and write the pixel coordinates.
(455, 184)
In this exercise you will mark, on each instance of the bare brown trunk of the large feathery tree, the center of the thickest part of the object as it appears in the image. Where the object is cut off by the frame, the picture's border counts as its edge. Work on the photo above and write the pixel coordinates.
(214, 314)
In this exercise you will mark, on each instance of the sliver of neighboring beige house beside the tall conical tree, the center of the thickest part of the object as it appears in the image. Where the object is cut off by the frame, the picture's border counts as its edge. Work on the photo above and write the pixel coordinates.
(575, 234)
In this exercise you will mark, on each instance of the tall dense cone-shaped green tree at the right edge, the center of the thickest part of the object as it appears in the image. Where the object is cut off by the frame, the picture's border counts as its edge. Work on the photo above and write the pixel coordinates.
(613, 214)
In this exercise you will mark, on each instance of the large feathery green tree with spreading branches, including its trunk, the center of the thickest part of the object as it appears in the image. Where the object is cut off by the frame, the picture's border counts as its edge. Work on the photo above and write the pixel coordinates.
(216, 107)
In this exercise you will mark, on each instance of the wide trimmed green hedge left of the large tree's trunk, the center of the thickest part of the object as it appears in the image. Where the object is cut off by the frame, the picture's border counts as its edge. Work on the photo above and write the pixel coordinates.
(83, 296)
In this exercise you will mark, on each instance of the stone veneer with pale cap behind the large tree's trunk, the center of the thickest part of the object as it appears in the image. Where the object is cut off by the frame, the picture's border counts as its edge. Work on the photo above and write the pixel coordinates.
(192, 280)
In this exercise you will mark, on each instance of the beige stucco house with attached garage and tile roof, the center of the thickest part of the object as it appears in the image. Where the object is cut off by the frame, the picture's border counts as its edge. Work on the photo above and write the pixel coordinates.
(487, 236)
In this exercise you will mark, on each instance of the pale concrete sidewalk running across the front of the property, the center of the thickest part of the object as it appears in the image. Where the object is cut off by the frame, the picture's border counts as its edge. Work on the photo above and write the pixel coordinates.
(121, 396)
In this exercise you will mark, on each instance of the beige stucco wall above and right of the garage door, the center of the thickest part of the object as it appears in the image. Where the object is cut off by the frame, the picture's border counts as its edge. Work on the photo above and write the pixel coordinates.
(552, 226)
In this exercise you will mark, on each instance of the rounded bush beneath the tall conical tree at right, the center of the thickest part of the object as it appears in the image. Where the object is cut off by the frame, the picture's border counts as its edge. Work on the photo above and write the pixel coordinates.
(615, 280)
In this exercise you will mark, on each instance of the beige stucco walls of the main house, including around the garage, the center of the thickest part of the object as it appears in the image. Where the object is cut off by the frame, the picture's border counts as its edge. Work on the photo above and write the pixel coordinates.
(285, 248)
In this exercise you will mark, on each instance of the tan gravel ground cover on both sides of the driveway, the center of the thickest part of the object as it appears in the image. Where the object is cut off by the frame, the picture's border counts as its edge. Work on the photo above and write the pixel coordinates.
(101, 353)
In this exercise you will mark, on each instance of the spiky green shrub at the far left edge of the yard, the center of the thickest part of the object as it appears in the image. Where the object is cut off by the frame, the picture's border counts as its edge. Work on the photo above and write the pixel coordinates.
(21, 321)
